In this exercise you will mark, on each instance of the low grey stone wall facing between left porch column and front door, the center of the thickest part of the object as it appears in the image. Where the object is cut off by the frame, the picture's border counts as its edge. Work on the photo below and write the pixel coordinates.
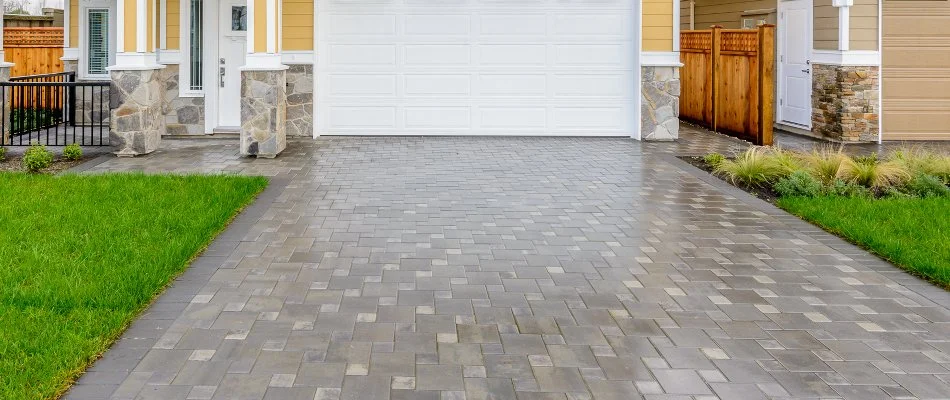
(183, 115)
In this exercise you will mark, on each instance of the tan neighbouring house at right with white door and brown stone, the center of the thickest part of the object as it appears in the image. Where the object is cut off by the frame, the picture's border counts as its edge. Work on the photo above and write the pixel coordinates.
(829, 63)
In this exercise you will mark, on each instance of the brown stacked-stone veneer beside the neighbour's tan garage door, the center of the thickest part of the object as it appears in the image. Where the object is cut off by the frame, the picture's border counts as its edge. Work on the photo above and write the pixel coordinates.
(845, 102)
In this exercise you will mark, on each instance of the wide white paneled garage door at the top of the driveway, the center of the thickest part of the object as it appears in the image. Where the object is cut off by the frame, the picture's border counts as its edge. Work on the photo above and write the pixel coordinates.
(476, 67)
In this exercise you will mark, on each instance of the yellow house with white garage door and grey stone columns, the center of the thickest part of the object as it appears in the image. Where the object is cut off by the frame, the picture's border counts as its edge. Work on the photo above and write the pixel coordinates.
(270, 68)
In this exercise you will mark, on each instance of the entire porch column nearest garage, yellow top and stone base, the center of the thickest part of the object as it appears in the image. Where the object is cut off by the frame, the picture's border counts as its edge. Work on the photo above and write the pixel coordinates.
(263, 83)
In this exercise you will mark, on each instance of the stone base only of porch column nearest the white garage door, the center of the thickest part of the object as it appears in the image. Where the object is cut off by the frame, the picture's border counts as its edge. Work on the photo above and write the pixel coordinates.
(263, 112)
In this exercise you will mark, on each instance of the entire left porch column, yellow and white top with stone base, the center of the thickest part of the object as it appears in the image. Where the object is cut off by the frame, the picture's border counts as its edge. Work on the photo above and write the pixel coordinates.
(137, 122)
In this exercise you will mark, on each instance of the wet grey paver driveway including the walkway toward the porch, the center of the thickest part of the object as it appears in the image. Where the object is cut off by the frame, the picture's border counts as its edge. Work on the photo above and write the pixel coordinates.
(528, 268)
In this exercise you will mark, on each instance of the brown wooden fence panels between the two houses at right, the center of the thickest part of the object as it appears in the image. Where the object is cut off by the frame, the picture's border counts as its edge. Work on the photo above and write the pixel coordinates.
(728, 81)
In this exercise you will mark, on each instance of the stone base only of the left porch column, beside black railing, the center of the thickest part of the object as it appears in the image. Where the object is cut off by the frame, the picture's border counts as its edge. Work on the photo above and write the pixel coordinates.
(137, 121)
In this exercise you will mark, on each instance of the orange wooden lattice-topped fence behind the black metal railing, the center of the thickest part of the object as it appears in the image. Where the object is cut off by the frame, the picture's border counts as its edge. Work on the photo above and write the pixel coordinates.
(33, 51)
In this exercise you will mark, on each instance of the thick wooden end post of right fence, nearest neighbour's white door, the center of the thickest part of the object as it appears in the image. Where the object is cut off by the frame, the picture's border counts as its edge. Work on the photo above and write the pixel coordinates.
(766, 111)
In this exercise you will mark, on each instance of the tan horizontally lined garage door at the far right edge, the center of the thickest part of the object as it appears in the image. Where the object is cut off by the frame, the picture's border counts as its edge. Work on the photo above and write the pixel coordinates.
(916, 70)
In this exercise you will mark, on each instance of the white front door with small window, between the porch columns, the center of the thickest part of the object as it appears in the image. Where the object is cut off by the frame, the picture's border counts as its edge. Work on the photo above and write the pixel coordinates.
(232, 47)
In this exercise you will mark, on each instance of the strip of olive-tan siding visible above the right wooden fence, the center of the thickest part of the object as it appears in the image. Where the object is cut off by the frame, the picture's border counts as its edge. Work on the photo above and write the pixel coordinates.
(726, 13)
